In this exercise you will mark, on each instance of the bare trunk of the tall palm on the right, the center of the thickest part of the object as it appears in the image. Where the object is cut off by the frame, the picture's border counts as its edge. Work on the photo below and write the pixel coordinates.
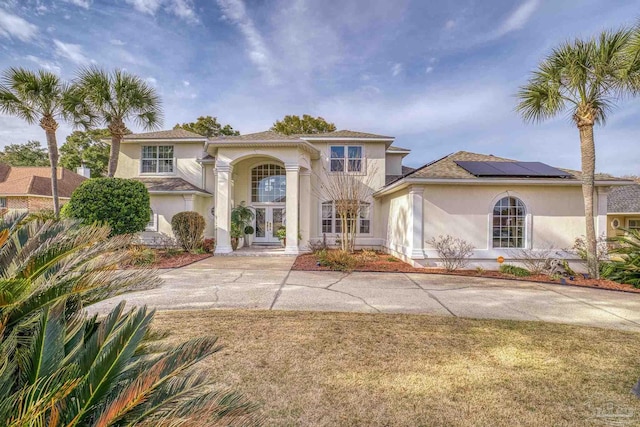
(588, 155)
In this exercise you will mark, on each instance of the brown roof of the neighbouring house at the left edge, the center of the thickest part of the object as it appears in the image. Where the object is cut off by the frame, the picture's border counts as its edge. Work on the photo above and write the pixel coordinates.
(36, 181)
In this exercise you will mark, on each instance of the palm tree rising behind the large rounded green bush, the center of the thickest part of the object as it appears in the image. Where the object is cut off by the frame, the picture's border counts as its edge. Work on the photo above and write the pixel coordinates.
(113, 99)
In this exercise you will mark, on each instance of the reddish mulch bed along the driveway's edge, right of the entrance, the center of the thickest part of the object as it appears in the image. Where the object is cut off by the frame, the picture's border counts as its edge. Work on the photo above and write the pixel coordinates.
(389, 264)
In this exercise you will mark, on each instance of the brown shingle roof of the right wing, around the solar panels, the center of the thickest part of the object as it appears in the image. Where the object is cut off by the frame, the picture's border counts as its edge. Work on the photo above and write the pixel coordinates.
(446, 168)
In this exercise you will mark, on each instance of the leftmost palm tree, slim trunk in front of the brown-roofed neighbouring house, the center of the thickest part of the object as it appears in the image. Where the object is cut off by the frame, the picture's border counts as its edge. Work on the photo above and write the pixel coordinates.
(36, 97)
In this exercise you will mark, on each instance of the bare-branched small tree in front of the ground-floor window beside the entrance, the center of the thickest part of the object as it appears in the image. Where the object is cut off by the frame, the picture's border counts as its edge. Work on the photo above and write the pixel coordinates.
(351, 194)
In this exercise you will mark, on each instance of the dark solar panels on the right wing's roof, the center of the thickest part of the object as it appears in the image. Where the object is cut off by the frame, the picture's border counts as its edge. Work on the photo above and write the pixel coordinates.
(512, 169)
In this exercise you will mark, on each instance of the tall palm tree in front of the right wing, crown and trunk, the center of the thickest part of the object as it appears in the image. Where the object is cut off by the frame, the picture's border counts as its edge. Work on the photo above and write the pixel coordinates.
(584, 78)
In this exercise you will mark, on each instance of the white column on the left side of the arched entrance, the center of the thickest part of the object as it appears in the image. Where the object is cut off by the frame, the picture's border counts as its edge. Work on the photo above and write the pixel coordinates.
(223, 208)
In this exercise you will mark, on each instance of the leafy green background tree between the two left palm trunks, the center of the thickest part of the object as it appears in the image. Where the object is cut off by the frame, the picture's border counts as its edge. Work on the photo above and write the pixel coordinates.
(87, 148)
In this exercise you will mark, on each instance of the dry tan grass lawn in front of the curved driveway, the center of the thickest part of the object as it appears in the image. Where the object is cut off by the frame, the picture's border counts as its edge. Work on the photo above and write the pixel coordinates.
(315, 369)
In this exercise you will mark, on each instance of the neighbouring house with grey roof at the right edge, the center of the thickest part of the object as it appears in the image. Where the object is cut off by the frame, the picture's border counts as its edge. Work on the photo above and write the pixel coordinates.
(623, 209)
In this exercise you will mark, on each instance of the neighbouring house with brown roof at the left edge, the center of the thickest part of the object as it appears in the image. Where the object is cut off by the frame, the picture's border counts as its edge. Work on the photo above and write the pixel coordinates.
(29, 188)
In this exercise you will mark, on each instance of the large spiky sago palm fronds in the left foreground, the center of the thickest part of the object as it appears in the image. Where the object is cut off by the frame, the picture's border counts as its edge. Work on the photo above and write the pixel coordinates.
(61, 367)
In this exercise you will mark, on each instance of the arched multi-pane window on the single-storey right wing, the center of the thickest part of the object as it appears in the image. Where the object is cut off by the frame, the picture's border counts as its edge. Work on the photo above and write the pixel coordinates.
(509, 223)
